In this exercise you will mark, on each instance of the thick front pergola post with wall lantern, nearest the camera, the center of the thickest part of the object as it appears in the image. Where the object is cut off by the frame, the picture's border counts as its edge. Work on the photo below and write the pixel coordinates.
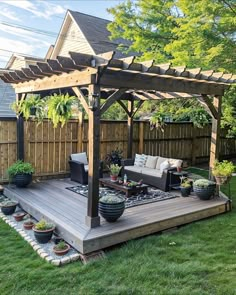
(92, 219)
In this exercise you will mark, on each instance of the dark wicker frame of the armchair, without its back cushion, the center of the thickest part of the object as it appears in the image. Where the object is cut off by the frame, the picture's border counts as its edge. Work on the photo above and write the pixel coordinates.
(79, 171)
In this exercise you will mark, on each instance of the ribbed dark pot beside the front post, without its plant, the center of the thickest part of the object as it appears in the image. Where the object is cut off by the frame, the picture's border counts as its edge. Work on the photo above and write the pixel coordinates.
(111, 212)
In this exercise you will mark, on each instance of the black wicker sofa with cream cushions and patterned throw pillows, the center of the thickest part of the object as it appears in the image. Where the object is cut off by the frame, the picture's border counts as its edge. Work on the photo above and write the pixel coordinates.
(153, 170)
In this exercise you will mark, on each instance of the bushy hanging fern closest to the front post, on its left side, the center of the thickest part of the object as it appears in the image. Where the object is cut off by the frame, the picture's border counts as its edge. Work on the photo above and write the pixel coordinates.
(60, 108)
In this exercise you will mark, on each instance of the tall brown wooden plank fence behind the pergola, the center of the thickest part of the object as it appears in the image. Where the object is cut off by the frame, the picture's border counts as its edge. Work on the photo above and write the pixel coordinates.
(48, 149)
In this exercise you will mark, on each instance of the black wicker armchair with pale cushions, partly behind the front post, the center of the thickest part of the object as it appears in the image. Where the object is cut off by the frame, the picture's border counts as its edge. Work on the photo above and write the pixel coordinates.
(79, 168)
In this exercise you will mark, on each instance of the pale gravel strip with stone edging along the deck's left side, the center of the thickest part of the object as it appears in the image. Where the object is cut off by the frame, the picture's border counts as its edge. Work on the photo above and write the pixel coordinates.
(45, 251)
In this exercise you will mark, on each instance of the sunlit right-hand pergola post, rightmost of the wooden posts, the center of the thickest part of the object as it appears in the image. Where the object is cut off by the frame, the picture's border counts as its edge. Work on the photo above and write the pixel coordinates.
(215, 133)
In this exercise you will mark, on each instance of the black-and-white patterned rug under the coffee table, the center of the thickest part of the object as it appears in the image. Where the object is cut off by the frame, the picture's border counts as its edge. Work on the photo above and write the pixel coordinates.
(154, 195)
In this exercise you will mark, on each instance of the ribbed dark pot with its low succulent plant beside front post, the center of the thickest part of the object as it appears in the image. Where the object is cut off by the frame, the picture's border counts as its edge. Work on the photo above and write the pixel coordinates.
(111, 207)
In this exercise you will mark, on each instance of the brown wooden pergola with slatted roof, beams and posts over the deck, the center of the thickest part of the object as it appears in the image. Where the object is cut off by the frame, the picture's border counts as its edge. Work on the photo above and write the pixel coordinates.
(91, 78)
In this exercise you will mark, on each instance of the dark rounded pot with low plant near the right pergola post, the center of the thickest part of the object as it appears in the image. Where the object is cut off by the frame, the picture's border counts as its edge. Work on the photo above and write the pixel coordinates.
(204, 188)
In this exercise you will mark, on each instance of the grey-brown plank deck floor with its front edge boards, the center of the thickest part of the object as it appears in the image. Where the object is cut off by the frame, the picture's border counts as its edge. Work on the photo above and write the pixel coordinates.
(67, 210)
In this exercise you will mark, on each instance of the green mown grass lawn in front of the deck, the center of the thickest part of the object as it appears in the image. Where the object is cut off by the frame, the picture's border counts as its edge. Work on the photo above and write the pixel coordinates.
(197, 259)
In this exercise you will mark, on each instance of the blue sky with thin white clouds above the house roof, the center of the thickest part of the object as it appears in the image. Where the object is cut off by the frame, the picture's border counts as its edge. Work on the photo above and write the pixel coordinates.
(31, 26)
